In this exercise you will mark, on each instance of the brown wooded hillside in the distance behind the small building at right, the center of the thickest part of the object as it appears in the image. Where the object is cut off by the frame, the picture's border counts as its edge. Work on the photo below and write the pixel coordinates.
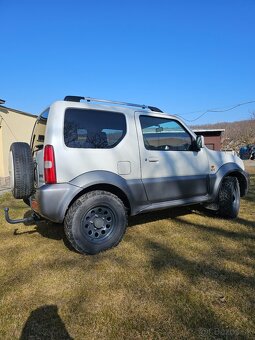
(236, 134)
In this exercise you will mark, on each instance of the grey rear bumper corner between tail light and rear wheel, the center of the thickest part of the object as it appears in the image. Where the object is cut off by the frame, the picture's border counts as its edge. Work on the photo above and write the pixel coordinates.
(51, 201)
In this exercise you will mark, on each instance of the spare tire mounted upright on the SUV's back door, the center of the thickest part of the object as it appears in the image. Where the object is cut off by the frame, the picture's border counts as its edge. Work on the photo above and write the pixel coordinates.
(21, 167)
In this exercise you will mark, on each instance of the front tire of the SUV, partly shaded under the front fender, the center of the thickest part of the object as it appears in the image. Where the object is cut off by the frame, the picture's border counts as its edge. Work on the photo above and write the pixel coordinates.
(229, 198)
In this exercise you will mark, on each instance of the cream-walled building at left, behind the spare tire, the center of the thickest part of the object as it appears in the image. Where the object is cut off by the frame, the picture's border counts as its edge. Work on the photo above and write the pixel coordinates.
(15, 126)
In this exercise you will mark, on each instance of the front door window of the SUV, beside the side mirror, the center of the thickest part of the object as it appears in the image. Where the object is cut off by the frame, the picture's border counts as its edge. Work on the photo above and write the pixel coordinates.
(164, 134)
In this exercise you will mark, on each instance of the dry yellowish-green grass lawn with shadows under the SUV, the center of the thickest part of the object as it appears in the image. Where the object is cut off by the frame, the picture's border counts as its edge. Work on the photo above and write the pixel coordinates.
(177, 274)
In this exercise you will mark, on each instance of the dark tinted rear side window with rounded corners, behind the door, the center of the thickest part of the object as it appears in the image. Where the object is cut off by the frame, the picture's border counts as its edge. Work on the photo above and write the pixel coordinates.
(93, 129)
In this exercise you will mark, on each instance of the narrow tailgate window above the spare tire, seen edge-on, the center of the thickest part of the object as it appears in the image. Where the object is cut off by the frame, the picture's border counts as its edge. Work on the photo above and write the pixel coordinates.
(38, 134)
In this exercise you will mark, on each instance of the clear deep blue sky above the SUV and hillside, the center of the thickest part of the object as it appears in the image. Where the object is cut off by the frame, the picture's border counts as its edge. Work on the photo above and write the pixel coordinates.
(184, 56)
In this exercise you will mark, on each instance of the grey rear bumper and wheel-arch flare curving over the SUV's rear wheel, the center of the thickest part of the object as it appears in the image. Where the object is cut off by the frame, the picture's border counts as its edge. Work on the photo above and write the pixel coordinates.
(56, 199)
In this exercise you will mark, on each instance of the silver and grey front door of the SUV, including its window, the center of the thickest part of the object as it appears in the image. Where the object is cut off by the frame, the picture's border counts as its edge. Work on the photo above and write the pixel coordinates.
(170, 168)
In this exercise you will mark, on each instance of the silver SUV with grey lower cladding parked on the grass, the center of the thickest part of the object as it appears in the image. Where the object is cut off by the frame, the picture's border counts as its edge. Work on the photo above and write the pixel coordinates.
(91, 164)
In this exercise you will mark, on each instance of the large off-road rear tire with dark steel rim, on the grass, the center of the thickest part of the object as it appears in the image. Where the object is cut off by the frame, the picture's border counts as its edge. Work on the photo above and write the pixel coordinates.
(95, 222)
